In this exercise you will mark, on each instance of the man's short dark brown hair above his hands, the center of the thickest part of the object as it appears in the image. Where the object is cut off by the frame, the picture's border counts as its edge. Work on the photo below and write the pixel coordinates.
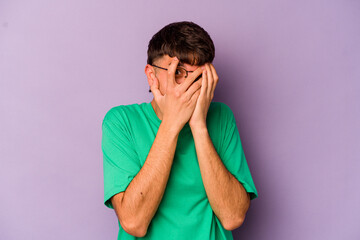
(186, 40)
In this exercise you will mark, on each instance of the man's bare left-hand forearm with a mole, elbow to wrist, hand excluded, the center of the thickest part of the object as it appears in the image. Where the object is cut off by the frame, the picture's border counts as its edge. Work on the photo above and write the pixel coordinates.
(136, 207)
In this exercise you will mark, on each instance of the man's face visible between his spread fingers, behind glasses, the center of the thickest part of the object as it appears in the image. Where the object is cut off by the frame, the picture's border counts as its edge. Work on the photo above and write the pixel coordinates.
(161, 74)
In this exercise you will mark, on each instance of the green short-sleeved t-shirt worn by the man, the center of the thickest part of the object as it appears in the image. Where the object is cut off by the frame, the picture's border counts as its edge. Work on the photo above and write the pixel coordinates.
(184, 212)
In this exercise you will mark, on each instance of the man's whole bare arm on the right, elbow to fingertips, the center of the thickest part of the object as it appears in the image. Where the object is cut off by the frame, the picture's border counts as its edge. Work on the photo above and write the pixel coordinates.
(226, 195)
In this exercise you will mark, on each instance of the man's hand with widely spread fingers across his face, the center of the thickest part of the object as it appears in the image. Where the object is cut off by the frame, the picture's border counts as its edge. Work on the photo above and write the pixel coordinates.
(179, 101)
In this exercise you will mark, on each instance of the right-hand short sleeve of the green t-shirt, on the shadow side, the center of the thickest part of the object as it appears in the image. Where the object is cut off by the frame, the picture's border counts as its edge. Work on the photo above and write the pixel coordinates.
(232, 153)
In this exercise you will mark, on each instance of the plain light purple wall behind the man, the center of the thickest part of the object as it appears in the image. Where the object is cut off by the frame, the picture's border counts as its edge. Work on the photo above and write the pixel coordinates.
(288, 70)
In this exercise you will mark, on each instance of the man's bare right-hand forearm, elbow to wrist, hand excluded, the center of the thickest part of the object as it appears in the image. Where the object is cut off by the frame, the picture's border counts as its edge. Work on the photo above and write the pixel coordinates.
(227, 197)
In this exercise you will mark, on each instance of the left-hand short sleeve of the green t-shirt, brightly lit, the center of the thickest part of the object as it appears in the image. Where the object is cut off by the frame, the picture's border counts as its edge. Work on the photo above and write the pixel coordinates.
(120, 160)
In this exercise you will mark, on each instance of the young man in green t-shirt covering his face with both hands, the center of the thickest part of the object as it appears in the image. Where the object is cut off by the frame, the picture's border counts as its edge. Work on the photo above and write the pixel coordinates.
(175, 168)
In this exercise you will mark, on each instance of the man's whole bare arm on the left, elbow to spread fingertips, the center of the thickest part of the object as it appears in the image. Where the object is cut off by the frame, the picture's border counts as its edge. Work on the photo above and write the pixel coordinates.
(136, 207)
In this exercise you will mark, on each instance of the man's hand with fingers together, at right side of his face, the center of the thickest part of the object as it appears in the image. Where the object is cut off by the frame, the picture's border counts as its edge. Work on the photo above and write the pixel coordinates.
(209, 82)
